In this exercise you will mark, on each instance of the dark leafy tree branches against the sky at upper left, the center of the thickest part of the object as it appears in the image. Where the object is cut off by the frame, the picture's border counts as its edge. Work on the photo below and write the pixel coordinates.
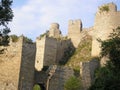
(6, 16)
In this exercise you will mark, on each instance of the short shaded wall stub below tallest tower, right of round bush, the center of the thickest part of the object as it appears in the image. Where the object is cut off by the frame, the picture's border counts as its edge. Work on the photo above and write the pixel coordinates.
(87, 70)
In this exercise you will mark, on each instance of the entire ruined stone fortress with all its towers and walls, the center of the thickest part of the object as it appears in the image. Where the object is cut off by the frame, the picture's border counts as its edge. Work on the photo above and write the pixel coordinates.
(21, 64)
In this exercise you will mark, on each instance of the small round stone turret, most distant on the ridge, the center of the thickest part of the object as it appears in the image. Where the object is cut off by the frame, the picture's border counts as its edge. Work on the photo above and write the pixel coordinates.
(54, 30)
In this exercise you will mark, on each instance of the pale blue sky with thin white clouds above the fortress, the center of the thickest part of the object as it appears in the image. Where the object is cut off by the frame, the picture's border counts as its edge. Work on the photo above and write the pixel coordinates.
(33, 17)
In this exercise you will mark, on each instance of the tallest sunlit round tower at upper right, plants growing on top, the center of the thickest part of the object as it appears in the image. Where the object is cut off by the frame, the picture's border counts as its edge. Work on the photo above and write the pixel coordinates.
(107, 18)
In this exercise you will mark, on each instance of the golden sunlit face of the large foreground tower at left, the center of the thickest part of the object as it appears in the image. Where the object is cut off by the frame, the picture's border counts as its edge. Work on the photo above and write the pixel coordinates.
(10, 62)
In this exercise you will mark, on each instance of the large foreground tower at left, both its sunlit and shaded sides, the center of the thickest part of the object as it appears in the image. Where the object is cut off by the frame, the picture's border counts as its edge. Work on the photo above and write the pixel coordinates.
(17, 66)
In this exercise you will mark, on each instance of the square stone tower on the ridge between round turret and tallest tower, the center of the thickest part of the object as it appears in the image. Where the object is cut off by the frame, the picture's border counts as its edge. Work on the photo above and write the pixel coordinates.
(74, 29)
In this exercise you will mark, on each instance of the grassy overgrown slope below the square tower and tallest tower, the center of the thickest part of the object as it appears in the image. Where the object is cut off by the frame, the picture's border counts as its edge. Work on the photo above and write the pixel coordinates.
(82, 53)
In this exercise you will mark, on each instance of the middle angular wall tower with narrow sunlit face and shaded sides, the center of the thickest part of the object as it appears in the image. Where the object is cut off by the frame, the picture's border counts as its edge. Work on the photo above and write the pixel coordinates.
(50, 51)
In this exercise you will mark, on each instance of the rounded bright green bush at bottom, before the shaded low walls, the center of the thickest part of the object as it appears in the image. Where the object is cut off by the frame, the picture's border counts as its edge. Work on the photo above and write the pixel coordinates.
(72, 83)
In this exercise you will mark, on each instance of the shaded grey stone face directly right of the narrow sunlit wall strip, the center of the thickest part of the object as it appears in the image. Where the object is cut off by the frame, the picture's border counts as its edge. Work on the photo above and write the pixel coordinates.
(50, 51)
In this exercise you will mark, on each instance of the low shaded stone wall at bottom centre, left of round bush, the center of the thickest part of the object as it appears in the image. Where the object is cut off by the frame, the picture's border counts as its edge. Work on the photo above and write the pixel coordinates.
(59, 78)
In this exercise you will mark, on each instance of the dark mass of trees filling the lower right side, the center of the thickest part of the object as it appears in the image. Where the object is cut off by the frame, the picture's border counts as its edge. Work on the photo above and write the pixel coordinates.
(108, 77)
